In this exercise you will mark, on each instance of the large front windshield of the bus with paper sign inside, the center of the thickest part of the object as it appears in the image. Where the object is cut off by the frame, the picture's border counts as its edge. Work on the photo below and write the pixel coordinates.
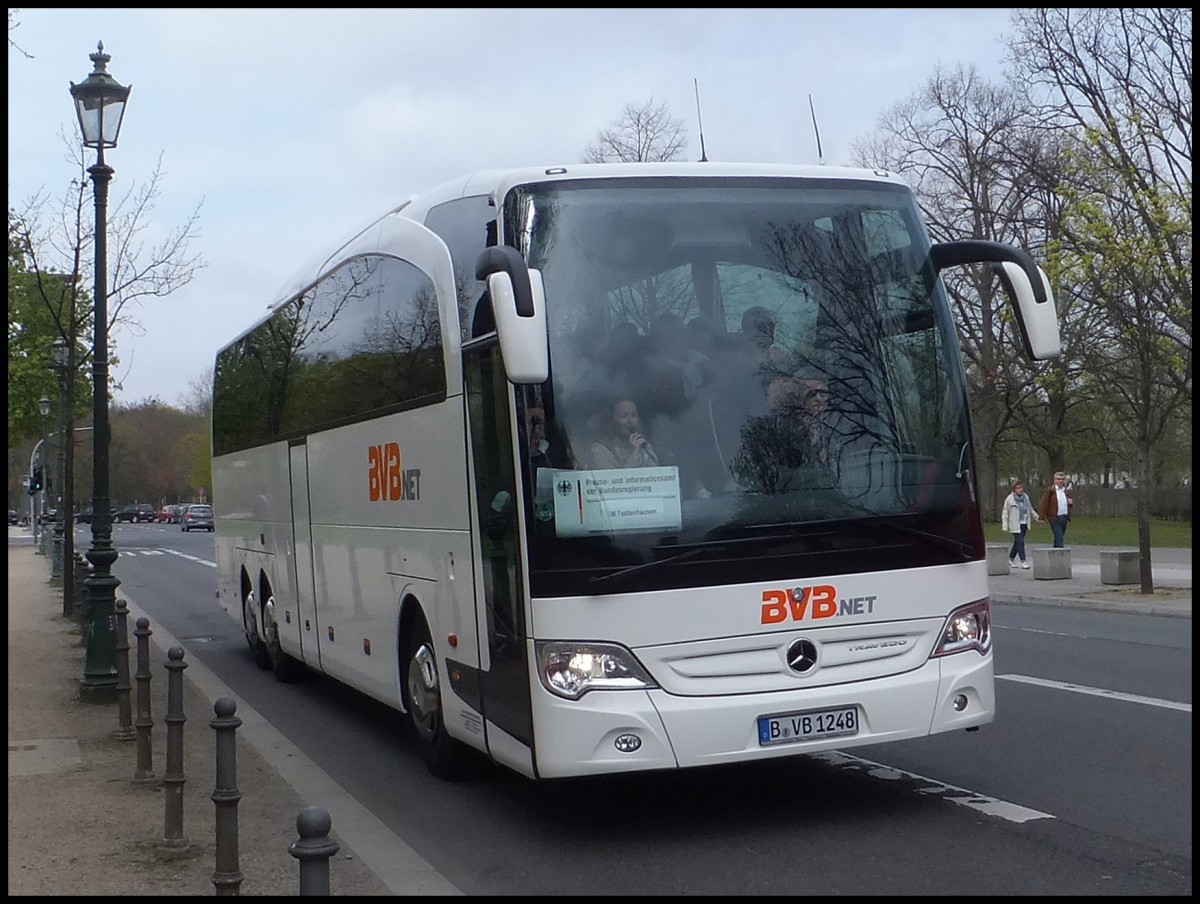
(749, 380)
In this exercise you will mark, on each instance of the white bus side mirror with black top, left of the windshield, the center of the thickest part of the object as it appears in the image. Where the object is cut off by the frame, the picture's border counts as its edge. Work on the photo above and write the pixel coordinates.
(519, 306)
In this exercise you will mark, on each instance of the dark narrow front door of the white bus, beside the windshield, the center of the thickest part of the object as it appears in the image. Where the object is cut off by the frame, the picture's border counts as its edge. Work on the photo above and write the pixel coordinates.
(501, 613)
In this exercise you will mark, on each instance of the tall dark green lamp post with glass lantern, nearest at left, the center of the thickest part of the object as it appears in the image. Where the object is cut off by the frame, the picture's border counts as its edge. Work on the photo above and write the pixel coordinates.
(100, 104)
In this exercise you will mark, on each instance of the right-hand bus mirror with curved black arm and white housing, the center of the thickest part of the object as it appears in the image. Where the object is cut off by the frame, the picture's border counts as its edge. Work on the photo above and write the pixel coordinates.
(1025, 284)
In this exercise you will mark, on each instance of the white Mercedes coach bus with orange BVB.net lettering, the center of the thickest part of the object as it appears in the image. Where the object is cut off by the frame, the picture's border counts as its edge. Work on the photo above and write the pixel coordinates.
(423, 492)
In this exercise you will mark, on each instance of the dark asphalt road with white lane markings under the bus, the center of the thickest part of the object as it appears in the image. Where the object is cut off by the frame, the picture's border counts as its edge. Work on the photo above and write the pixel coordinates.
(1082, 786)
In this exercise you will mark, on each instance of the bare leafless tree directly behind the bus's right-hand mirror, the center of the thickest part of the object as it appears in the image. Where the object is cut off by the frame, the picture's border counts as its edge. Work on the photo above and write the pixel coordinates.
(953, 141)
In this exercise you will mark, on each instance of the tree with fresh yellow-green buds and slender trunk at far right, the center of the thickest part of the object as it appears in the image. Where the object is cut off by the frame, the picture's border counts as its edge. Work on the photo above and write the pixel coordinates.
(1121, 80)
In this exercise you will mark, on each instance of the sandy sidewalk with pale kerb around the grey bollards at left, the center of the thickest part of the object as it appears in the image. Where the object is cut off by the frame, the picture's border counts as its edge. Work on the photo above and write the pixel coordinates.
(80, 825)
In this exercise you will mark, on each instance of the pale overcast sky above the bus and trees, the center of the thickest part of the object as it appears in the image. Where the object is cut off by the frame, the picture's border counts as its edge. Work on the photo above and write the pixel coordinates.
(296, 127)
